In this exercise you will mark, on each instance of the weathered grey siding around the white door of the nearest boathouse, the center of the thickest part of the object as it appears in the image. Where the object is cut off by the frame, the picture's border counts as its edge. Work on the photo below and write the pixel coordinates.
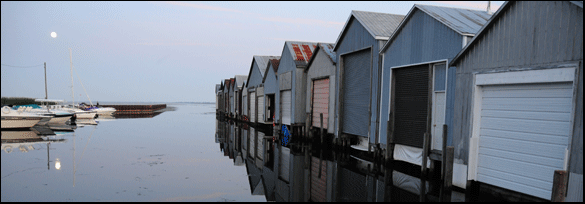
(527, 35)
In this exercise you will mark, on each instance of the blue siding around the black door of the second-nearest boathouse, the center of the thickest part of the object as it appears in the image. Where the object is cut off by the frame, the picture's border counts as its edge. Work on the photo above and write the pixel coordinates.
(422, 39)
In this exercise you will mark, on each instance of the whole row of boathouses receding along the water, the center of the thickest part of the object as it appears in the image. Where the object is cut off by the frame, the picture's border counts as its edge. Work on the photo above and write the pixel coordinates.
(503, 91)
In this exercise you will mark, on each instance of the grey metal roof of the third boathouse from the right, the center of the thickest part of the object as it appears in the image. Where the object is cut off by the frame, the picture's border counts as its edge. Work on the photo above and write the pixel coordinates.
(380, 25)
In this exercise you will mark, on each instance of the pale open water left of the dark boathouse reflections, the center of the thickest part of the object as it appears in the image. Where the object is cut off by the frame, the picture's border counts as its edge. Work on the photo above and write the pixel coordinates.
(170, 157)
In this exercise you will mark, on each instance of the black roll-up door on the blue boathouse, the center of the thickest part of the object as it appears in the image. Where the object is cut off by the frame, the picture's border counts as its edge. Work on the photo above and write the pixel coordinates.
(411, 105)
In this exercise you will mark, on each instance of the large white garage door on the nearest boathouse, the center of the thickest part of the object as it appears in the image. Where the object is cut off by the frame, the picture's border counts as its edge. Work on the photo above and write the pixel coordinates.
(524, 132)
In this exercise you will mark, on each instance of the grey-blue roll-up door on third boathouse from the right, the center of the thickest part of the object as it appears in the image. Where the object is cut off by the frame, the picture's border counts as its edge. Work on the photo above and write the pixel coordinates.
(356, 92)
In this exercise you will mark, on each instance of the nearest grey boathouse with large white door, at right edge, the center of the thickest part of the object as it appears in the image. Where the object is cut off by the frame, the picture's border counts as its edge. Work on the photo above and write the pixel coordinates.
(519, 100)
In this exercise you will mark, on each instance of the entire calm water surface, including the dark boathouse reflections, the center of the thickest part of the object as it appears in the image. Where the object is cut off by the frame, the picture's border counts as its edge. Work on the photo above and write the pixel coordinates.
(186, 154)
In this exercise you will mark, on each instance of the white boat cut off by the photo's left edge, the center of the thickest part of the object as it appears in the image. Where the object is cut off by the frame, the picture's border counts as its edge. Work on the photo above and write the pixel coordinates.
(19, 118)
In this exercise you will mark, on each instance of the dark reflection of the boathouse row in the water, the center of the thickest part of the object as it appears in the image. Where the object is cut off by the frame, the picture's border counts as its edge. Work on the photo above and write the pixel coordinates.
(304, 172)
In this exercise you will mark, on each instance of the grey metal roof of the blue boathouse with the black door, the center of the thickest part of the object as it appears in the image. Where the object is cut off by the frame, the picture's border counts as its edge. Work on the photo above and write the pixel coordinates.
(463, 21)
